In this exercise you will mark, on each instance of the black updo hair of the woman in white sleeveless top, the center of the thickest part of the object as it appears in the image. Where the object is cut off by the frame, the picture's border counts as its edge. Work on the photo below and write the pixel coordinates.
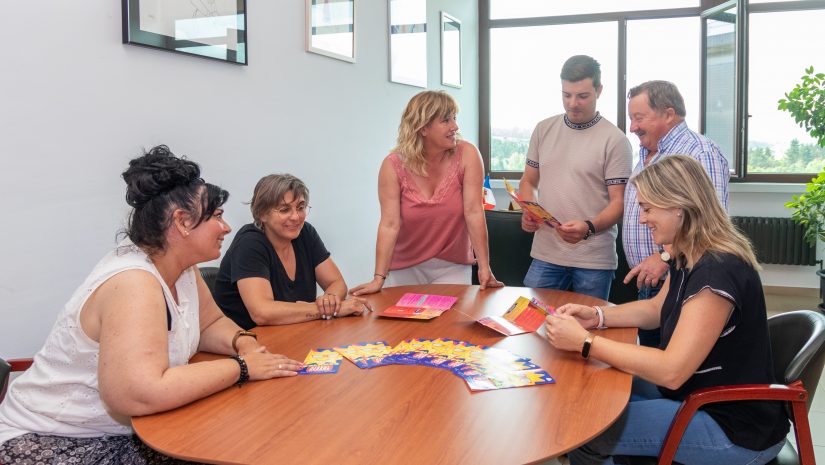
(157, 183)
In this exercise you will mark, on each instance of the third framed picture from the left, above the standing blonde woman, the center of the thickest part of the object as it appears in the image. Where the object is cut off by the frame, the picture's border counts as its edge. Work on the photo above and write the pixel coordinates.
(408, 41)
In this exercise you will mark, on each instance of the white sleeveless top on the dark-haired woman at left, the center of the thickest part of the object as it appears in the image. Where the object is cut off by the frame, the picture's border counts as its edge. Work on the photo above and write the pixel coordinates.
(59, 394)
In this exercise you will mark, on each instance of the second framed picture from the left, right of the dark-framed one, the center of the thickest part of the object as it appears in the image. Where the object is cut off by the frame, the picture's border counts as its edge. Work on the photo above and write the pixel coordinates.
(330, 29)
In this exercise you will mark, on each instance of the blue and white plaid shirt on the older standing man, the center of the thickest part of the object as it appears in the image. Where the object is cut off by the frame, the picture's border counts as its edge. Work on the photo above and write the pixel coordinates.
(636, 238)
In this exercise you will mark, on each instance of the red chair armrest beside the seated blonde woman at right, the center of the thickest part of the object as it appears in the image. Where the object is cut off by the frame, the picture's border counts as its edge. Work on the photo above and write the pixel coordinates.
(794, 393)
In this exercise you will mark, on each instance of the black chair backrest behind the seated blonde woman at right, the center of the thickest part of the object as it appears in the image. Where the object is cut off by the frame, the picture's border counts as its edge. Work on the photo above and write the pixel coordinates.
(798, 346)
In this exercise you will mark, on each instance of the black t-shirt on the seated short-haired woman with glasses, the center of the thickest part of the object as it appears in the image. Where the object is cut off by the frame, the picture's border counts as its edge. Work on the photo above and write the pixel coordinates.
(251, 255)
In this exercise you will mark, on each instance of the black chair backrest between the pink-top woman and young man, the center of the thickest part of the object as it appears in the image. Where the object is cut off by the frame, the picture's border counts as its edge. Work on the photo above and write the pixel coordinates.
(509, 246)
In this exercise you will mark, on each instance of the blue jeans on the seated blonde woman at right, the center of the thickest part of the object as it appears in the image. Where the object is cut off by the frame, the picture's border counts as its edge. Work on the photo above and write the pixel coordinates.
(641, 430)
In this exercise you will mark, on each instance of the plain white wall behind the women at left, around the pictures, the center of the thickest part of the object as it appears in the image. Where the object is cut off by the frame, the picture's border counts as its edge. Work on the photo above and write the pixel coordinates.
(77, 105)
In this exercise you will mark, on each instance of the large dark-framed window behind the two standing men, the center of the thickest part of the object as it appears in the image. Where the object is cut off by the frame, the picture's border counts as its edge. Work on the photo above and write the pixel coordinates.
(732, 69)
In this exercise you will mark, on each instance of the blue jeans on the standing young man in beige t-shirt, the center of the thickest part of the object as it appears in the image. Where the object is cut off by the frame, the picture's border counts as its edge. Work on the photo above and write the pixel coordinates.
(595, 283)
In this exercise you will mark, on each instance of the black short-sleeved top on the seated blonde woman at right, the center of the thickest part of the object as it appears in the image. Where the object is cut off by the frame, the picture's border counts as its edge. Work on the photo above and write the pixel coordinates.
(741, 355)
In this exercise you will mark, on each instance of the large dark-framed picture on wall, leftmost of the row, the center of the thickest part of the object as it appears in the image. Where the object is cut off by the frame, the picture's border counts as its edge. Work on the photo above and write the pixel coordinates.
(213, 29)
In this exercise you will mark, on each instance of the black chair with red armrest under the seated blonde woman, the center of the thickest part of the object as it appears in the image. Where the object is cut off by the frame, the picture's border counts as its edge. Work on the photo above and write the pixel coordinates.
(798, 346)
